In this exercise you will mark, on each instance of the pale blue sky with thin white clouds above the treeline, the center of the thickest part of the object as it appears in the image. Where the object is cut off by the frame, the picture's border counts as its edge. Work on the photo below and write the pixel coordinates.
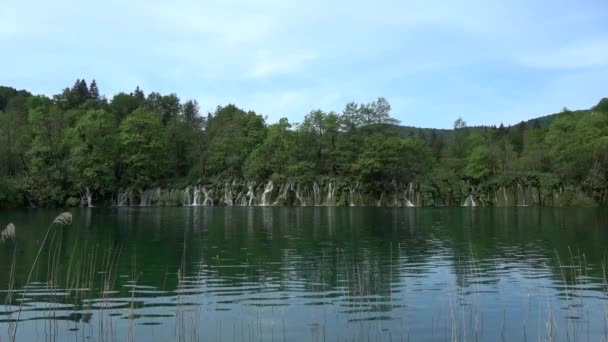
(488, 61)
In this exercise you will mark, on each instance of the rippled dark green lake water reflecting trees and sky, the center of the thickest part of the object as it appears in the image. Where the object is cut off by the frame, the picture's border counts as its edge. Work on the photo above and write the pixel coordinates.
(307, 274)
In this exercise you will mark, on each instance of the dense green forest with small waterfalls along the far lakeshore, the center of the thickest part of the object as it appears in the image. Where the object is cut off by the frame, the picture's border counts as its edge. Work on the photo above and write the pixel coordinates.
(80, 148)
